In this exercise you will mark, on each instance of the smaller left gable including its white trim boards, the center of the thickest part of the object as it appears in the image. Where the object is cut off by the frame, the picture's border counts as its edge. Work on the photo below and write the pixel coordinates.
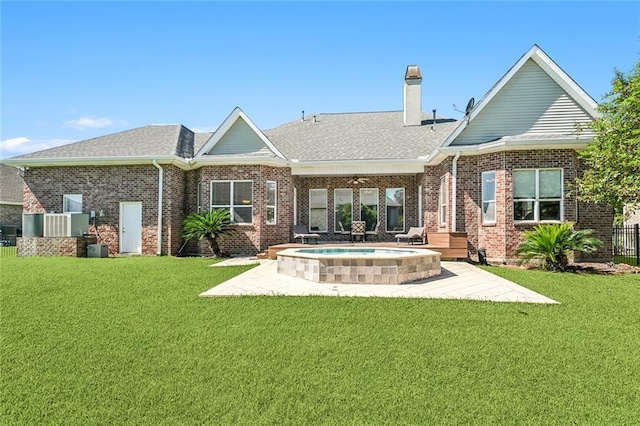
(238, 136)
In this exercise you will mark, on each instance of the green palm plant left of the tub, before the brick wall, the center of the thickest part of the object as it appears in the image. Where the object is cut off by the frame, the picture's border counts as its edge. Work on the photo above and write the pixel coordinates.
(210, 226)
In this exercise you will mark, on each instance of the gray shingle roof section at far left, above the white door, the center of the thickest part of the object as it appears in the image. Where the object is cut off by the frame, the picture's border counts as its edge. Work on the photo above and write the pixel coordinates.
(153, 140)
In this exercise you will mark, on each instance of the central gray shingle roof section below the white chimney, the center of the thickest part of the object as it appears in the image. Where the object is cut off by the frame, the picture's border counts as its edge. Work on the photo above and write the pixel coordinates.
(364, 136)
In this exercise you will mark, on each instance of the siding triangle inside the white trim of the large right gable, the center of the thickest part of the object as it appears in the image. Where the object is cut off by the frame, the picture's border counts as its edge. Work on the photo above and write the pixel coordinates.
(531, 102)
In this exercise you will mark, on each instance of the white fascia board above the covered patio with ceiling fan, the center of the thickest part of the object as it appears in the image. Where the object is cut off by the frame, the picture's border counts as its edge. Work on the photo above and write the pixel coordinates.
(347, 167)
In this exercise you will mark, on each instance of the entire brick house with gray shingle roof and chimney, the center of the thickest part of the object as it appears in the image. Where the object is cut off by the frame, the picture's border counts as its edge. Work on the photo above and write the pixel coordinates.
(507, 165)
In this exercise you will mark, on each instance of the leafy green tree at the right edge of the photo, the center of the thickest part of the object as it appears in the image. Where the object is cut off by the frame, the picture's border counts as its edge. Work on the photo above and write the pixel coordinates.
(613, 157)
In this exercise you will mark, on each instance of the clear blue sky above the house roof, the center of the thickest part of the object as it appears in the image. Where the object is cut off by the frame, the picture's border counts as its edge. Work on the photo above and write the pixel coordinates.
(76, 70)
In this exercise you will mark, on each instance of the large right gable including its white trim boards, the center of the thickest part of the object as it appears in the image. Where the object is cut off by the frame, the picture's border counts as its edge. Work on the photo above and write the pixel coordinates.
(553, 99)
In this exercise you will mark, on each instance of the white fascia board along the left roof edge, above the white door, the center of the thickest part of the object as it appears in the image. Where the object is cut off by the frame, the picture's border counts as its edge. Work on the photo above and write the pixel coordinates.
(97, 161)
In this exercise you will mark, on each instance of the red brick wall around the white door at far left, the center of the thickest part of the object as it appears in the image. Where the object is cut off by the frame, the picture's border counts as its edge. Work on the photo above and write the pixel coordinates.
(103, 188)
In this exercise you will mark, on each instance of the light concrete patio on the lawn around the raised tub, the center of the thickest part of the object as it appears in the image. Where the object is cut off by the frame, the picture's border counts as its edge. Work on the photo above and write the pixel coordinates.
(459, 280)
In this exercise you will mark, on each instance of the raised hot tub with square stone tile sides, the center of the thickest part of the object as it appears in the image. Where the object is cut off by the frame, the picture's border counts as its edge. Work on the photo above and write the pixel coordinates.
(359, 265)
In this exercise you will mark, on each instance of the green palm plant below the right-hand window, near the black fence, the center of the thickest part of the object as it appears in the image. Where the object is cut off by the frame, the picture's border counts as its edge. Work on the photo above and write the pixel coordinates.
(552, 244)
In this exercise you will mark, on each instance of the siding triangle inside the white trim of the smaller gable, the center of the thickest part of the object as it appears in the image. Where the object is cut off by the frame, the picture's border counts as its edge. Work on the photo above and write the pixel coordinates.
(240, 139)
